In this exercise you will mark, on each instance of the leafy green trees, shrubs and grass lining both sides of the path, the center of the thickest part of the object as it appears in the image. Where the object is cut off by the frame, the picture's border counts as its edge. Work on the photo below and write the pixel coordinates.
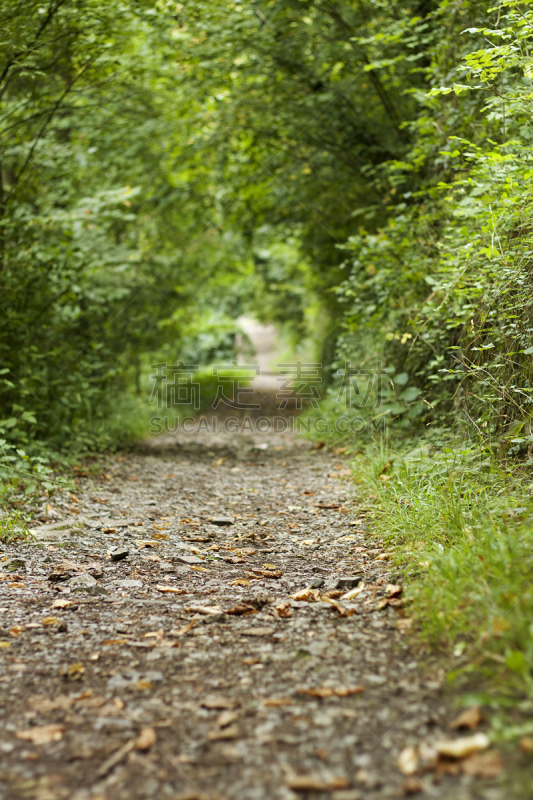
(357, 173)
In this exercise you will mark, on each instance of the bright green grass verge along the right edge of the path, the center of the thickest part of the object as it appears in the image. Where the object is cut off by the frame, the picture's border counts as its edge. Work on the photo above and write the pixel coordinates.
(462, 527)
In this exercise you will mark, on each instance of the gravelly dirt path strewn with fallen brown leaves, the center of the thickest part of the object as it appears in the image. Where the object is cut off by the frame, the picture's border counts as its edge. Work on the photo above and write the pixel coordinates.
(187, 668)
